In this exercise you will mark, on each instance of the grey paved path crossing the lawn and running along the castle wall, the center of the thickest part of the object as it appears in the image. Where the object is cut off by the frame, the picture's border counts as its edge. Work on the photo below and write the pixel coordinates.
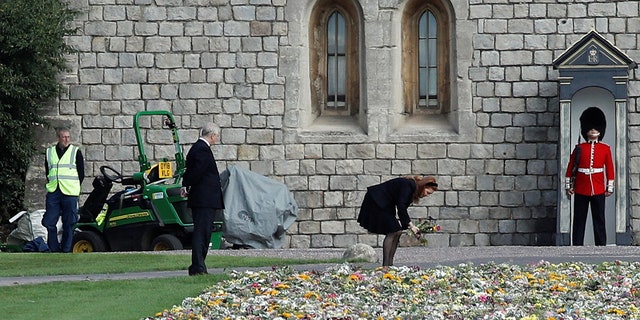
(412, 256)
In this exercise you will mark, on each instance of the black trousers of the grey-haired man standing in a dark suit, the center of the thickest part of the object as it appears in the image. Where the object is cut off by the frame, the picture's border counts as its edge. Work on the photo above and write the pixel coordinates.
(202, 228)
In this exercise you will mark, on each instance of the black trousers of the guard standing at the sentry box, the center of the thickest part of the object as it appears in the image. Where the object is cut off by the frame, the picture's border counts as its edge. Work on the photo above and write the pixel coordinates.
(581, 206)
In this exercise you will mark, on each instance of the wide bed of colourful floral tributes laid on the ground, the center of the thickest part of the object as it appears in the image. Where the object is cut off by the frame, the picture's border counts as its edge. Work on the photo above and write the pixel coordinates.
(543, 290)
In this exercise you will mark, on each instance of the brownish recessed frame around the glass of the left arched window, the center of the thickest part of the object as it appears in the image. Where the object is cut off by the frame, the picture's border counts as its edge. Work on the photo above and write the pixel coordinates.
(318, 57)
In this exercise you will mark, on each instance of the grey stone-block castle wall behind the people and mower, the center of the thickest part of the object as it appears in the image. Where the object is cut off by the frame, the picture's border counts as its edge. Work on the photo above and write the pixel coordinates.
(244, 64)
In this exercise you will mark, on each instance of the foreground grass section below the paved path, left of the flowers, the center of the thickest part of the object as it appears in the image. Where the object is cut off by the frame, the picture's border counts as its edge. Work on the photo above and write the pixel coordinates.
(100, 300)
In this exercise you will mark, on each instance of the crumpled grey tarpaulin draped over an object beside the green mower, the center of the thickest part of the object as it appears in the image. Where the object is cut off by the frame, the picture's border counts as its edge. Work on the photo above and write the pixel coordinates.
(258, 209)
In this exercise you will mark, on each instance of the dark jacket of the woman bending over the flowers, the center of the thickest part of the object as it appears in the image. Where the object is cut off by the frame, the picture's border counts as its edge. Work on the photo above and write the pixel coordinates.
(394, 196)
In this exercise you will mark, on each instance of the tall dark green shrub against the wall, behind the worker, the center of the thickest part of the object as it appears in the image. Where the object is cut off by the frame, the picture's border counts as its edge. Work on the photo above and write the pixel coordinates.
(32, 54)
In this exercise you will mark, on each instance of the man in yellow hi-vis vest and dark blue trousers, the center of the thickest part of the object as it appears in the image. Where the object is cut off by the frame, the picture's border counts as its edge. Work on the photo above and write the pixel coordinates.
(64, 167)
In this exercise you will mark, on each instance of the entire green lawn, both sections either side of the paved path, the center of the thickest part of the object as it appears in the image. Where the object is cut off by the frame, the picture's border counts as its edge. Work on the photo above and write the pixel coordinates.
(109, 299)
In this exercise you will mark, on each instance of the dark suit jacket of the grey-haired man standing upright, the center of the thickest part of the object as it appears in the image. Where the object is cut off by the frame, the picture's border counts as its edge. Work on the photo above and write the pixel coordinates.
(202, 178)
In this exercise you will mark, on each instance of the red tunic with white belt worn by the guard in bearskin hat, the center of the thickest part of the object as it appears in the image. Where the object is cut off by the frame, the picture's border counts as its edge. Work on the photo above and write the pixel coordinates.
(595, 164)
